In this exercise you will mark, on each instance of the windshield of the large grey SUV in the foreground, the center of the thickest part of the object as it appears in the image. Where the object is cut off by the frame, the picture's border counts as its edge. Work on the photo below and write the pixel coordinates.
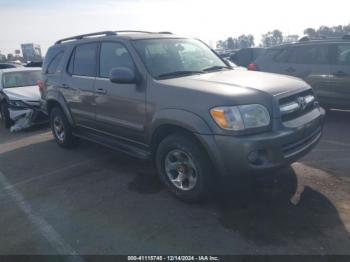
(177, 57)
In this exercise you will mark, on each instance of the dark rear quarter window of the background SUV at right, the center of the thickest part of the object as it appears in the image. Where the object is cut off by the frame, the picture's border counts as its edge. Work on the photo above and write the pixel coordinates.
(310, 54)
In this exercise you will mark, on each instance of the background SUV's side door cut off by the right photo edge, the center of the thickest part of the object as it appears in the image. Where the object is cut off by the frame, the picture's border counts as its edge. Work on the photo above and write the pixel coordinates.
(340, 75)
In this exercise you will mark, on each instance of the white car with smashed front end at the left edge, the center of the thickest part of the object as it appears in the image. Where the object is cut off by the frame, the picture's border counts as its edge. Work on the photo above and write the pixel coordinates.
(20, 98)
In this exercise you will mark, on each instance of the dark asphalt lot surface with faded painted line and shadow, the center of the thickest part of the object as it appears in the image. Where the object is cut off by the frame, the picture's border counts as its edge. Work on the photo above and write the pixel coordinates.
(92, 200)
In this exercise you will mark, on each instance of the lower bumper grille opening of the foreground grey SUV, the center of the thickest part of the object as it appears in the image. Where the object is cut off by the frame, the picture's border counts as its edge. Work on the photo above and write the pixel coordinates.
(294, 148)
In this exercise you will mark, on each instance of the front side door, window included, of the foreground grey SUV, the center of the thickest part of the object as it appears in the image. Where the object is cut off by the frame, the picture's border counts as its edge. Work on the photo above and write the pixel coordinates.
(120, 108)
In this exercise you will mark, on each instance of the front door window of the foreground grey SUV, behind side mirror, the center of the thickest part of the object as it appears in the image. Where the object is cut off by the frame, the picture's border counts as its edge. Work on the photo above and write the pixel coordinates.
(113, 55)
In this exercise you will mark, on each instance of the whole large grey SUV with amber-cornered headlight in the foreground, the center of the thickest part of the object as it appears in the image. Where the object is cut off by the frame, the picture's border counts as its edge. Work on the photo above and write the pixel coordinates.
(173, 100)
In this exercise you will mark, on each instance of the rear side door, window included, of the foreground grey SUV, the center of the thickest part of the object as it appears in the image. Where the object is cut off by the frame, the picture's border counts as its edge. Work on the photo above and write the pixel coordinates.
(78, 83)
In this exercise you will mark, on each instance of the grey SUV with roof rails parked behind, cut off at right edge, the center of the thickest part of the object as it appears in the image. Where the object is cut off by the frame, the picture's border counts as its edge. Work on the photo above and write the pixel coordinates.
(324, 64)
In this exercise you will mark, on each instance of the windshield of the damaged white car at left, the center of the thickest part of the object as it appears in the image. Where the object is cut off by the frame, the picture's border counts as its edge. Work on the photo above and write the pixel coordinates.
(18, 79)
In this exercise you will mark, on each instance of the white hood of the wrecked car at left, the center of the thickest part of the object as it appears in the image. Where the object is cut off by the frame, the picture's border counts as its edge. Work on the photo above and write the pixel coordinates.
(24, 93)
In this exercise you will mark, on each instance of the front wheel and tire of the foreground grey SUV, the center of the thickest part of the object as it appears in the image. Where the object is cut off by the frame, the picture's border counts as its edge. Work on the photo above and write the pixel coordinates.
(179, 157)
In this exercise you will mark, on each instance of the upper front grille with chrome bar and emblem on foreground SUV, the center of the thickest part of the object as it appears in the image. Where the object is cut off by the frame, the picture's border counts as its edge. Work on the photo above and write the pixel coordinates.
(294, 106)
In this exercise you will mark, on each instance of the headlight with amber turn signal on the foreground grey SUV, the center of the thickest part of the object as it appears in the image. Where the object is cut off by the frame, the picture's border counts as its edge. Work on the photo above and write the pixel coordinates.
(241, 117)
